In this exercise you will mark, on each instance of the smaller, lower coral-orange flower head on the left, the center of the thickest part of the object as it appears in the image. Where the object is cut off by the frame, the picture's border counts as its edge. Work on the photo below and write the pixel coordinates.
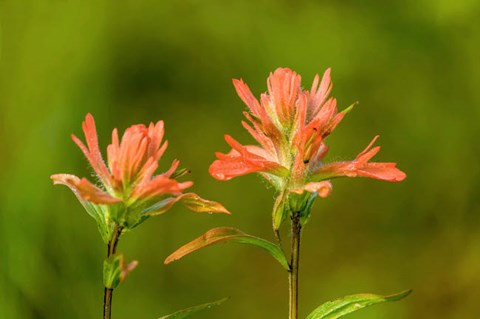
(128, 192)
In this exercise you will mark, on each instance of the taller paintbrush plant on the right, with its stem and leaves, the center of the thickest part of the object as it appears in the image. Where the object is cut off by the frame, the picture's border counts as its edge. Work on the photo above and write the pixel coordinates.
(290, 125)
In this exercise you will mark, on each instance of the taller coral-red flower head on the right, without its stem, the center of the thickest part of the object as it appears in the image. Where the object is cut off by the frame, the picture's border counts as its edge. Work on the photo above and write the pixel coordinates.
(290, 125)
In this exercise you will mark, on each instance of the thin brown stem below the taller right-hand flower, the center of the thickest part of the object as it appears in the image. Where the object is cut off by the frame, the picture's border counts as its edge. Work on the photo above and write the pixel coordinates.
(294, 263)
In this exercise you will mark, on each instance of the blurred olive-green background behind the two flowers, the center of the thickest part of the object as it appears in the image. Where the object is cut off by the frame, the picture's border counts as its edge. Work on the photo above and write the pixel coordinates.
(413, 65)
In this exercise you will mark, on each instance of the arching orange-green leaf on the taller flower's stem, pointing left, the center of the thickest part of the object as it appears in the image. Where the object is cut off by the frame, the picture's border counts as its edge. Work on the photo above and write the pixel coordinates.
(228, 234)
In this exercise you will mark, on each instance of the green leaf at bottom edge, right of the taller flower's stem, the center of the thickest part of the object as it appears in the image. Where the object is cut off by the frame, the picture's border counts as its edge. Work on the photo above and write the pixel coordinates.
(343, 306)
